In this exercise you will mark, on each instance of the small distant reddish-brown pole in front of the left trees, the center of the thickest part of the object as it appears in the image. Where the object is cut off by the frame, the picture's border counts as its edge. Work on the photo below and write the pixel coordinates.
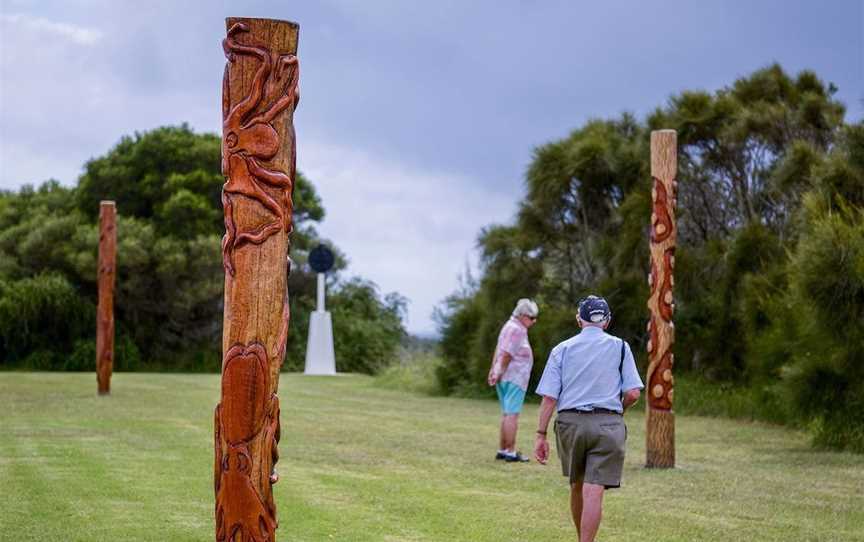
(105, 310)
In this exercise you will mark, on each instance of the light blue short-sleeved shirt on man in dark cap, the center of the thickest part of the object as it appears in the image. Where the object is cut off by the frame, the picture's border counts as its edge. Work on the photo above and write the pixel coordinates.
(582, 372)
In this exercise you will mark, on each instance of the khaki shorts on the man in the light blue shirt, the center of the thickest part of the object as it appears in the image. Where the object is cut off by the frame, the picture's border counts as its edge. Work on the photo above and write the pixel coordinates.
(591, 447)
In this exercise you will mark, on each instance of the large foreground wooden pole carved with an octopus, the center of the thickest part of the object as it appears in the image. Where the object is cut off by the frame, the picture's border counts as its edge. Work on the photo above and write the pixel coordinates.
(259, 95)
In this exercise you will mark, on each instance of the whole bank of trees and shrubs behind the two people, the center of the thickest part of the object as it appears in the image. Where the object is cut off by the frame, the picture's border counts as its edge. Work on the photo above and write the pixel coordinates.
(769, 274)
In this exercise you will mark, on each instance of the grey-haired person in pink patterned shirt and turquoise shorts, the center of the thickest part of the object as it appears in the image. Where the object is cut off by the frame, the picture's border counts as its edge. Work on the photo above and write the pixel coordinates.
(509, 373)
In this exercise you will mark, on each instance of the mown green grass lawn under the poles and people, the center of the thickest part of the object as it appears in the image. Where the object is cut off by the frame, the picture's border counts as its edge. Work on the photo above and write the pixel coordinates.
(362, 463)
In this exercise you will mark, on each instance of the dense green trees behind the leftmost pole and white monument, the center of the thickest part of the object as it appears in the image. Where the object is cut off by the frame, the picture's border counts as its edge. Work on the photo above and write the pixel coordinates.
(168, 300)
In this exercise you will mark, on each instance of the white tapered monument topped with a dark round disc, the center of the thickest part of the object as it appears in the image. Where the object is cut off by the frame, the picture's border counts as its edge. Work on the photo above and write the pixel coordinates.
(320, 356)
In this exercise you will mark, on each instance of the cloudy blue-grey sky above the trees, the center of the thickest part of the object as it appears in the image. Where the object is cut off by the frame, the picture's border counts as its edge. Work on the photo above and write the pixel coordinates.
(418, 119)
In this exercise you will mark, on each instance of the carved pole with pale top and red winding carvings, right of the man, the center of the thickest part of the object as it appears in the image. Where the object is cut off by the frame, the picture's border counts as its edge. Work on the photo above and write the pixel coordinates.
(660, 419)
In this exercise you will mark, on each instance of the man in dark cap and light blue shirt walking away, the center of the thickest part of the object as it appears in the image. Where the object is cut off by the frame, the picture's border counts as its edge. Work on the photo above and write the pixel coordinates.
(591, 378)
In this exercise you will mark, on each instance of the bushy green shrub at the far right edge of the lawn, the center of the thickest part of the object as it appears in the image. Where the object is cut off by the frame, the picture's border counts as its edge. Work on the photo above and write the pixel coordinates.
(826, 373)
